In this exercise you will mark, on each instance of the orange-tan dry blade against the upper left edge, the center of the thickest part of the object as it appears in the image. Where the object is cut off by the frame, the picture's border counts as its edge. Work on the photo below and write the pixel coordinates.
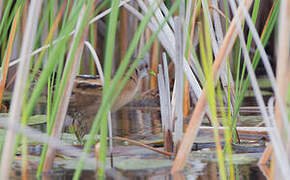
(7, 56)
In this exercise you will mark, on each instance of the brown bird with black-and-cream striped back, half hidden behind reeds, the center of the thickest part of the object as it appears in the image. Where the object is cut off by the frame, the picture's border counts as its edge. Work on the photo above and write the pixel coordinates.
(86, 98)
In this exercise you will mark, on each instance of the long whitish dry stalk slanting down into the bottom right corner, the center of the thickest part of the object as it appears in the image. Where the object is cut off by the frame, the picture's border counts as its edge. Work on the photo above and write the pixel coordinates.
(280, 154)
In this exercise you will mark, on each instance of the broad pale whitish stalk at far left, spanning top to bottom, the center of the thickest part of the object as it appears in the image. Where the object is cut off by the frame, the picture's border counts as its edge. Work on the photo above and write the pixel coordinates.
(16, 104)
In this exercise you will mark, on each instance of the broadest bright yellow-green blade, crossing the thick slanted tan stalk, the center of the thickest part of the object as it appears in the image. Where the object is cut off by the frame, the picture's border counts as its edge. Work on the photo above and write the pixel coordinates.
(206, 57)
